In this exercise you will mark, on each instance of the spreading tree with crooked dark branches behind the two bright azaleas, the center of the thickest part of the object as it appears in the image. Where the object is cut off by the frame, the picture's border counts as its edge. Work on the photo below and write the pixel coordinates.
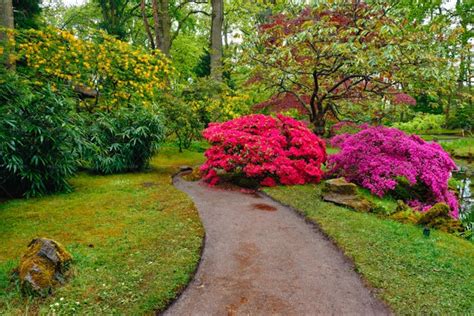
(341, 52)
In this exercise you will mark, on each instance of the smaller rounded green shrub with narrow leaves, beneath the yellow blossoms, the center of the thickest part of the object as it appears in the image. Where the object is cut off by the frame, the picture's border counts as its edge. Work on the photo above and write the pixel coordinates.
(121, 141)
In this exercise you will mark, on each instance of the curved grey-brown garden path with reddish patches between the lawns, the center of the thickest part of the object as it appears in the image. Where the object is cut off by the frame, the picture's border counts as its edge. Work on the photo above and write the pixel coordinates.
(261, 258)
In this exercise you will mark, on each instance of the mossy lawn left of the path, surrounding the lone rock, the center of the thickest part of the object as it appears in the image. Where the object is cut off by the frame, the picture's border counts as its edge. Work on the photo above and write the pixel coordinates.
(135, 240)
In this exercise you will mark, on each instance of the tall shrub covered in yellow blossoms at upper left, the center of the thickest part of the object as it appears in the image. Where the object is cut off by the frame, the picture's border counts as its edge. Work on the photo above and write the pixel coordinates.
(115, 71)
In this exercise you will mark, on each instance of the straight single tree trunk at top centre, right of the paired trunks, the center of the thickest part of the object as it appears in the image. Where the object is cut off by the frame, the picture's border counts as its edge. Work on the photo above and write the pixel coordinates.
(216, 39)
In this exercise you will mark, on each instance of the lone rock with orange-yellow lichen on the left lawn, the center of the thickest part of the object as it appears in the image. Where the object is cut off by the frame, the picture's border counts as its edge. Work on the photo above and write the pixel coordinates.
(43, 266)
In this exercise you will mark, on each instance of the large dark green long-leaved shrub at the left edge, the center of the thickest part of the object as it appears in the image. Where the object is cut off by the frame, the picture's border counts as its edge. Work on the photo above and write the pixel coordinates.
(38, 138)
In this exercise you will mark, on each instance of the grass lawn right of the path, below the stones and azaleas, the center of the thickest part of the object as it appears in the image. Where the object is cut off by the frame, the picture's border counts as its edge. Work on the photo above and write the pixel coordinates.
(414, 274)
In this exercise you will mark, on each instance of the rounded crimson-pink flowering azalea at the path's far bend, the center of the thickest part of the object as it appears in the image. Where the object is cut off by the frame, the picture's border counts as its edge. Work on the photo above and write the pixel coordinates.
(267, 149)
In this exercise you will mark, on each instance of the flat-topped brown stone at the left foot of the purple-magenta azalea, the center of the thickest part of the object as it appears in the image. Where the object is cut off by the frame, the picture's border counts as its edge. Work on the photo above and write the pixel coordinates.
(341, 192)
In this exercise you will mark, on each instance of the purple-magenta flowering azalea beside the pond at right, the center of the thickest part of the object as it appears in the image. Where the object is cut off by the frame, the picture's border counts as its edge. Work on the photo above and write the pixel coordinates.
(378, 157)
